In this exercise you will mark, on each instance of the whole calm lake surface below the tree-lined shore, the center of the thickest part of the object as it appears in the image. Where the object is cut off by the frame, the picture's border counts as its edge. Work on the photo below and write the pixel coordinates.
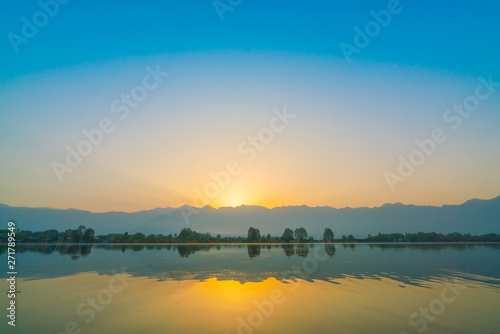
(320, 288)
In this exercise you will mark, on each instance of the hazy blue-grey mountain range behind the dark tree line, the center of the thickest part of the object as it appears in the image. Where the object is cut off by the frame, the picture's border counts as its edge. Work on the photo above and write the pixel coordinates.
(475, 216)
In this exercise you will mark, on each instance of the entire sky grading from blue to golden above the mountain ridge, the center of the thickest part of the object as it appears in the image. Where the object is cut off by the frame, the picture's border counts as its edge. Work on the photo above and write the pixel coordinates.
(129, 106)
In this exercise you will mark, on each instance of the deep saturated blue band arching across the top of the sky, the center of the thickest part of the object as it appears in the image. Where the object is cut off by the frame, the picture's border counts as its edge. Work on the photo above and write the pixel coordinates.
(461, 36)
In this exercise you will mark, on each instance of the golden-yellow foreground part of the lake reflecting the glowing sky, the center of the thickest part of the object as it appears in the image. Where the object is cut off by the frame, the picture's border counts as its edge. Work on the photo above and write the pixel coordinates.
(222, 306)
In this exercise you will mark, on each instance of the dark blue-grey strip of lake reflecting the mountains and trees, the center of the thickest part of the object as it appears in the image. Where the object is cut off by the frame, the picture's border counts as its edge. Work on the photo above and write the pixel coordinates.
(407, 263)
